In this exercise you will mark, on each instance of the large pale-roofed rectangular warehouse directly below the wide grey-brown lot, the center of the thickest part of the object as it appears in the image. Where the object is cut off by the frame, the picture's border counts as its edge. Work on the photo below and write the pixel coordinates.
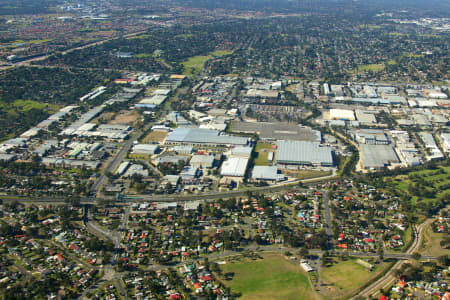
(304, 153)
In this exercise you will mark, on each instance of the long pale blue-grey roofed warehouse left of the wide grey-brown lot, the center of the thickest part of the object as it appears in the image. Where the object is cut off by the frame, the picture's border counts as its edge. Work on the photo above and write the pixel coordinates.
(199, 136)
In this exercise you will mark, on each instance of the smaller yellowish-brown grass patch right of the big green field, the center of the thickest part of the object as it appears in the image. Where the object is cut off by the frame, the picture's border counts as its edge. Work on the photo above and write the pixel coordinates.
(345, 276)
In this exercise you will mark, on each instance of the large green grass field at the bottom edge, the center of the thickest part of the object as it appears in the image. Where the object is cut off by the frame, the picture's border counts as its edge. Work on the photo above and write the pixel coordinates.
(273, 277)
